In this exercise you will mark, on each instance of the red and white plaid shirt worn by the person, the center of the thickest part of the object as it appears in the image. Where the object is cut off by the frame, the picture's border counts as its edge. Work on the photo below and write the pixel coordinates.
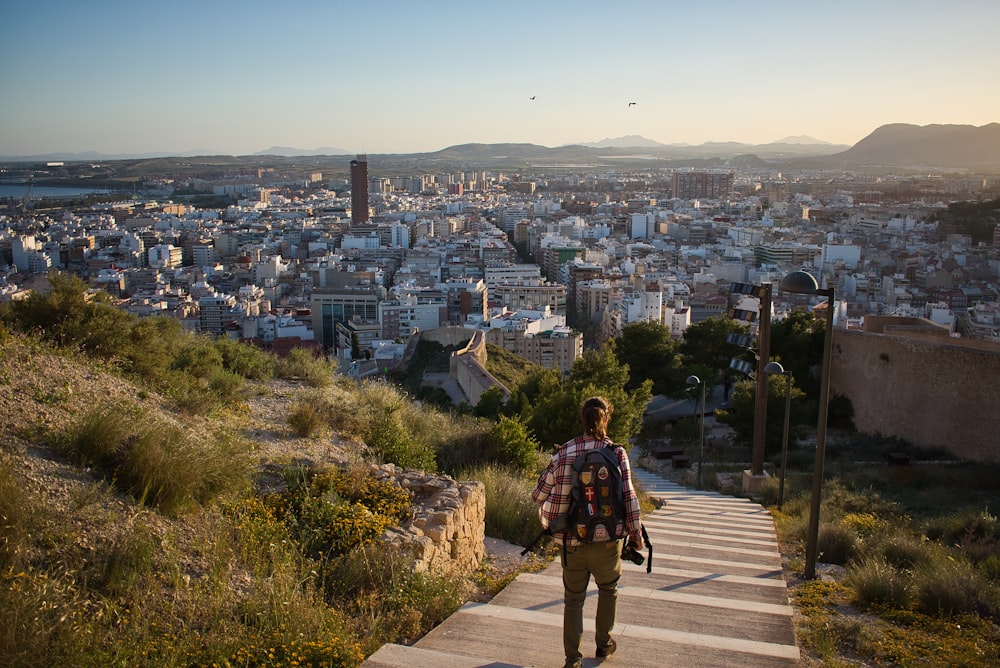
(553, 488)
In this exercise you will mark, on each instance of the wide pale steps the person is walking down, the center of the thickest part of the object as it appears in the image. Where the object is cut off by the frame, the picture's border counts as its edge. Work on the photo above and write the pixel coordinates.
(715, 598)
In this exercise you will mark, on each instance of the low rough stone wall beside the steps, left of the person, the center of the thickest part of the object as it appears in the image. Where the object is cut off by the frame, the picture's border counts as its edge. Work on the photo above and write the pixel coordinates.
(447, 530)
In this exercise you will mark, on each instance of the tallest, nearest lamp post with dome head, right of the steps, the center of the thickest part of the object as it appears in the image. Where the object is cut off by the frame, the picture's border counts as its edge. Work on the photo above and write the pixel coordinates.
(804, 283)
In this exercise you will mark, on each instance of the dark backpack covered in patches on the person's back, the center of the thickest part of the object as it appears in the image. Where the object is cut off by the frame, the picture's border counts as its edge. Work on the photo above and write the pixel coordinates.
(597, 501)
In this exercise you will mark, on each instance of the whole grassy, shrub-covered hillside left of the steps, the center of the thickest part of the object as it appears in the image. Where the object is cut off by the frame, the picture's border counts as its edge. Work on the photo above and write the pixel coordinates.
(161, 506)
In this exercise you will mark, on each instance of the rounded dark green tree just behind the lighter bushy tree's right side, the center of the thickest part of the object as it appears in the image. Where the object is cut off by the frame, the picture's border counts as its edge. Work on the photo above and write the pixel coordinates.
(649, 352)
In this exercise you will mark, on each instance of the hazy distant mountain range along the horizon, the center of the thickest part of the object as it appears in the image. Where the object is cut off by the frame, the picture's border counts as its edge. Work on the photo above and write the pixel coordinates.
(893, 146)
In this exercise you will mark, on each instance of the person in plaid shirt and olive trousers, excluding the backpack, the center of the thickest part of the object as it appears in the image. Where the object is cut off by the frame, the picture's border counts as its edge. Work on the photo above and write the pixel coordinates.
(602, 560)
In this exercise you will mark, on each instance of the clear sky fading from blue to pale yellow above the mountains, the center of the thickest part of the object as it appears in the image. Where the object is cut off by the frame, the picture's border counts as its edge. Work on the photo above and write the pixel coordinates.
(411, 76)
